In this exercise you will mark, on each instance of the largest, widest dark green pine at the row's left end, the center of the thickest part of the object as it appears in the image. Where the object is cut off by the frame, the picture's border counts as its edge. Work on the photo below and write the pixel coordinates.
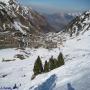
(38, 68)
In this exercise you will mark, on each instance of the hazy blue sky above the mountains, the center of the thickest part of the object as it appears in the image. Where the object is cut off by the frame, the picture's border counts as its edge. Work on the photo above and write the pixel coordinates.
(58, 5)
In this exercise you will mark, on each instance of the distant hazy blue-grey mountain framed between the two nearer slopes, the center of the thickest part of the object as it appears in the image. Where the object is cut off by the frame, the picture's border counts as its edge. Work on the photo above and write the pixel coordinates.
(58, 20)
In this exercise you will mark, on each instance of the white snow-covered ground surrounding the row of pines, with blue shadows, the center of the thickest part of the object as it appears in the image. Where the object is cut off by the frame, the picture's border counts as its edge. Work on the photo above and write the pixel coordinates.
(74, 75)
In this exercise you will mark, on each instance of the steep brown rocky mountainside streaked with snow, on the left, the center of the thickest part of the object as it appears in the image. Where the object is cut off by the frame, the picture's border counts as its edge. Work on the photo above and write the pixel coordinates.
(18, 22)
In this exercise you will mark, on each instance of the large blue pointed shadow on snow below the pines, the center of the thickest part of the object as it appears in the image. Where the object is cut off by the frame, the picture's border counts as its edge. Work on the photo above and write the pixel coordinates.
(49, 84)
